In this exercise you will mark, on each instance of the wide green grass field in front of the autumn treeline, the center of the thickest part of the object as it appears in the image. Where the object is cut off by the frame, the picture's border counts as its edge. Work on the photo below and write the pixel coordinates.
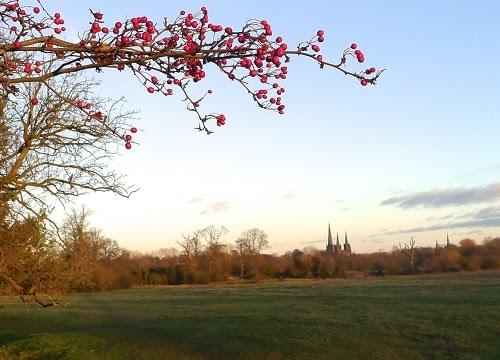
(427, 317)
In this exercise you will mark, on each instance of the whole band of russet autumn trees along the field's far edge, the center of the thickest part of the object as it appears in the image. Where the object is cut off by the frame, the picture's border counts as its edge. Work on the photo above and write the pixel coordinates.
(31, 263)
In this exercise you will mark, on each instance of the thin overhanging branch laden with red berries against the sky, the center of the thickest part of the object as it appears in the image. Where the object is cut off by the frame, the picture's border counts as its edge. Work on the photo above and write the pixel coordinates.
(165, 57)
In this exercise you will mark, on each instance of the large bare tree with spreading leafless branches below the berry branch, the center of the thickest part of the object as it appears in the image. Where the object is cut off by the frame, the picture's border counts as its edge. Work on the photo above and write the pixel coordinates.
(55, 151)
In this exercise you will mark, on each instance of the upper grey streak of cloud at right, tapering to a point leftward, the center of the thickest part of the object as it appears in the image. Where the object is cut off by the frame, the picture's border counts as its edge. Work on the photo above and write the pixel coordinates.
(446, 197)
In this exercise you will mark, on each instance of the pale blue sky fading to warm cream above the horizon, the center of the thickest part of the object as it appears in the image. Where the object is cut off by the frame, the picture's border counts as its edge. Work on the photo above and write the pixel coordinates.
(415, 155)
